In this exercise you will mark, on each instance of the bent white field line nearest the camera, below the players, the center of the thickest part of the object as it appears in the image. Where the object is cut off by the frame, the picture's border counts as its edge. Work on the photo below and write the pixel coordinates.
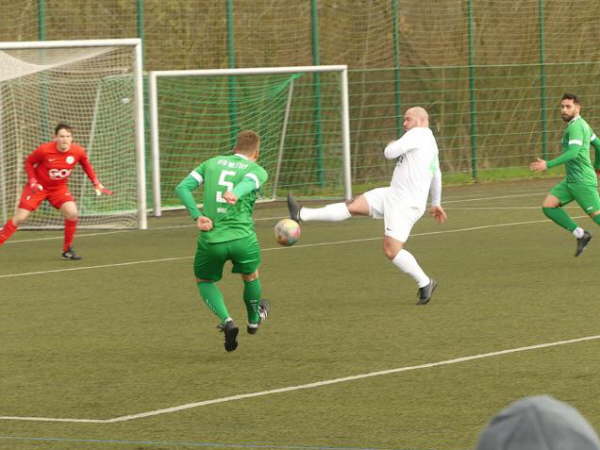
(306, 386)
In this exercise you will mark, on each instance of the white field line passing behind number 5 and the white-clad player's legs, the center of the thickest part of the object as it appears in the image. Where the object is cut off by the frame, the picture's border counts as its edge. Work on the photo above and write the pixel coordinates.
(320, 244)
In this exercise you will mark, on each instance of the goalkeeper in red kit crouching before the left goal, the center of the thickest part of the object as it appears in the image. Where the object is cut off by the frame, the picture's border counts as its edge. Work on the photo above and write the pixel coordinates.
(48, 169)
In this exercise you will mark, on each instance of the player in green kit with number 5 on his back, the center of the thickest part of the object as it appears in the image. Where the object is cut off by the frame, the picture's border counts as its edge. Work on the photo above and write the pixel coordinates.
(231, 184)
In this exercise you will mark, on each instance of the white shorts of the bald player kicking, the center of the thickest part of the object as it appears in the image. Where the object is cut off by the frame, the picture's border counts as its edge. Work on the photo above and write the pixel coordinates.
(399, 218)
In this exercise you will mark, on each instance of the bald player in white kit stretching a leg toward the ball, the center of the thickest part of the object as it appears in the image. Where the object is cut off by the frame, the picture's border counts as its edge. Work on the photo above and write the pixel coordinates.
(416, 175)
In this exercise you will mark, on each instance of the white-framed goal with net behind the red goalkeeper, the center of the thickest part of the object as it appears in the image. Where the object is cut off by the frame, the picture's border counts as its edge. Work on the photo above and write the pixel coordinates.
(95, 87)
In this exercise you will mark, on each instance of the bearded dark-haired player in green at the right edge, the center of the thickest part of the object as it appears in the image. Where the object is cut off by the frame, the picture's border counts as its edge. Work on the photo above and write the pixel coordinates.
(581, 181)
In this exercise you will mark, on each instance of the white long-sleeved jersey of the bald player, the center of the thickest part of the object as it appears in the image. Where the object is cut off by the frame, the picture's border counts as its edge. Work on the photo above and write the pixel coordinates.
(417, 168)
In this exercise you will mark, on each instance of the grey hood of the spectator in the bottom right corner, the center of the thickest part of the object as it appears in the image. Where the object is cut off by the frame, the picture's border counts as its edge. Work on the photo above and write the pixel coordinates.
(539, 423)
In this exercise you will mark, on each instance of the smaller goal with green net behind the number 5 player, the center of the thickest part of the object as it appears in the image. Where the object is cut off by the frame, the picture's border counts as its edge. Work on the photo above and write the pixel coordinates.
(300, 113)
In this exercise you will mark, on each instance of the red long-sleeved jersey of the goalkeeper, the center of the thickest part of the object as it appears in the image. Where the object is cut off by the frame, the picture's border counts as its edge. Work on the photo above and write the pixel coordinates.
(52, 168)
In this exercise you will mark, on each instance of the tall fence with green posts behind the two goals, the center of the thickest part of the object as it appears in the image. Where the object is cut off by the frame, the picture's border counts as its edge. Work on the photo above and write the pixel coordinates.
(489, 71)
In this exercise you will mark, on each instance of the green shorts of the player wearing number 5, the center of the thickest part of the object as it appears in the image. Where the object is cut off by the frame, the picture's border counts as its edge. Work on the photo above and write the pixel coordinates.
(244, 253)
